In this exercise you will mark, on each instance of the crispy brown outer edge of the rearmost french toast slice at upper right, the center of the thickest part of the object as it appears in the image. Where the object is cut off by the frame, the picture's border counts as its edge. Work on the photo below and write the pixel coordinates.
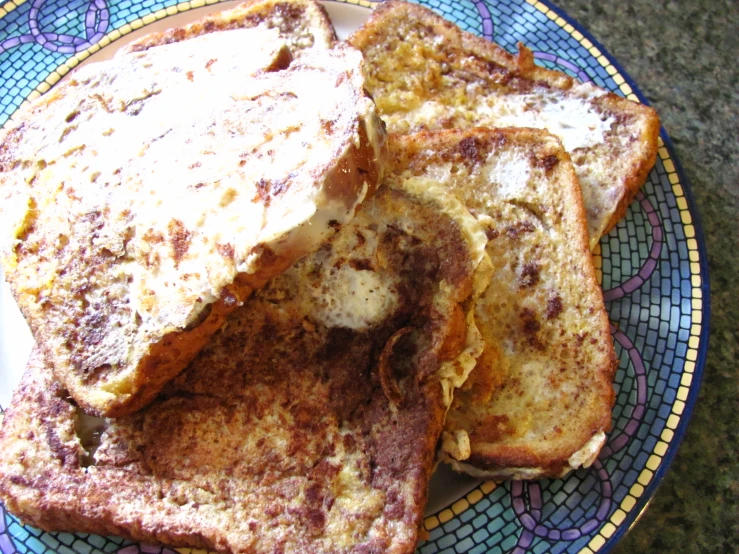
(524, 65)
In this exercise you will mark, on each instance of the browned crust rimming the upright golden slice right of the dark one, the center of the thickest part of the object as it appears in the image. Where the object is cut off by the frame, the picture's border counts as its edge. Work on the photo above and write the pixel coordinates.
(446, 144)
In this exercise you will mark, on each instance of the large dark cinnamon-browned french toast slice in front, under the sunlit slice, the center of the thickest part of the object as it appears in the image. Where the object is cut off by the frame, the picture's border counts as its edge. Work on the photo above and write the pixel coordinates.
(308, 424)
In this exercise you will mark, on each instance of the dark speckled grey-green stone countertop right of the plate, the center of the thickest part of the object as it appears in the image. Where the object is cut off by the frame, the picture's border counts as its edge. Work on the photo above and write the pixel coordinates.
(683, 56)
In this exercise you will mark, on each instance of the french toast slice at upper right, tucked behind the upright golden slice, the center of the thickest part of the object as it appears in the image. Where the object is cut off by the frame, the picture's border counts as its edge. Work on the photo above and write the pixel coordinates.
(425, 73)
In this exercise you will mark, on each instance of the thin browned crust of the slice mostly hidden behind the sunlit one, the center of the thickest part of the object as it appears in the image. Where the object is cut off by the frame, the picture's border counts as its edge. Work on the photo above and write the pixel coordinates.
(250, 14)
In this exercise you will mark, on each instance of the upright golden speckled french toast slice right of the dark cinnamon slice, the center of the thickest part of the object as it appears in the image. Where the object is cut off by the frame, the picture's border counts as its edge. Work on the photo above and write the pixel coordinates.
(539, 401)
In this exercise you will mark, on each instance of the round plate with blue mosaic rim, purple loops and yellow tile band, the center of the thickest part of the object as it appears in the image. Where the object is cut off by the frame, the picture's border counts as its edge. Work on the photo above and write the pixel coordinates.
(652, 268)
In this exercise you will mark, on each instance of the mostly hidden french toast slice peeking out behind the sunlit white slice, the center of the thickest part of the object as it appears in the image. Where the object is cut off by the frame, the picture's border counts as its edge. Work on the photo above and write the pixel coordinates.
(303, 24)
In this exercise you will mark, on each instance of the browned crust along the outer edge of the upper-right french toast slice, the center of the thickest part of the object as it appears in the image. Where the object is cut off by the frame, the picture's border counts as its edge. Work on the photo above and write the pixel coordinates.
(522, 69)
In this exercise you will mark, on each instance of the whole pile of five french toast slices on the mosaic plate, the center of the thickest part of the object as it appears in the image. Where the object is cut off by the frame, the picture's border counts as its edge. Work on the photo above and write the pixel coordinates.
(274, 278)
